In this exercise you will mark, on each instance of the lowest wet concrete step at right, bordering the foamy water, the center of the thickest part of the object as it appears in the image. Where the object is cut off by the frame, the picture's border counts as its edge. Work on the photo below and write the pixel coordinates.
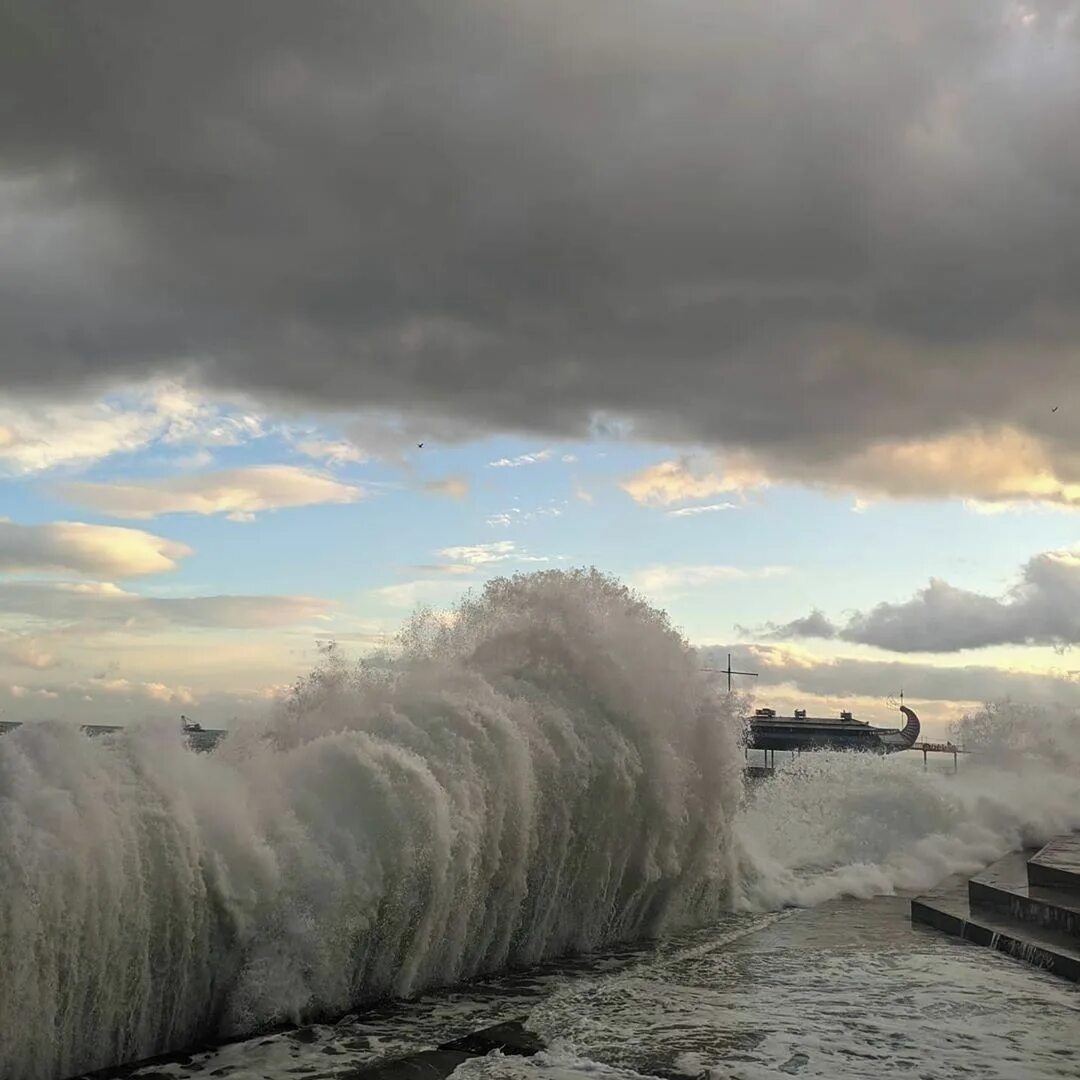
(949, 909)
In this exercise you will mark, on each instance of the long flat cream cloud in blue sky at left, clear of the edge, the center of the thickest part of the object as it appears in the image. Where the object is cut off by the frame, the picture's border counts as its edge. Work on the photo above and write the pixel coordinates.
(237, 493)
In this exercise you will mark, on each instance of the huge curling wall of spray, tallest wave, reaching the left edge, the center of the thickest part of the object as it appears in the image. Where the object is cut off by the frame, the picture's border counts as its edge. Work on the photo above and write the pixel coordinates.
(541, 773)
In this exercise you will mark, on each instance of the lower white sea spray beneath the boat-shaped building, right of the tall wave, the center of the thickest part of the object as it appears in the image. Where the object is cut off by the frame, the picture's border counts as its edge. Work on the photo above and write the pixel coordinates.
(846, 825)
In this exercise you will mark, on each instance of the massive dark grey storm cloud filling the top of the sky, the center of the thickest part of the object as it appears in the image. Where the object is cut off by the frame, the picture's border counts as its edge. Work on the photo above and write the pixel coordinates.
(806, 225)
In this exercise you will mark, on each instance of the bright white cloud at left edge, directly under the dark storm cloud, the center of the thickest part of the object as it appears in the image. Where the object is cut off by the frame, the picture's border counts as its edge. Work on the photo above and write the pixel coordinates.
(39, 437)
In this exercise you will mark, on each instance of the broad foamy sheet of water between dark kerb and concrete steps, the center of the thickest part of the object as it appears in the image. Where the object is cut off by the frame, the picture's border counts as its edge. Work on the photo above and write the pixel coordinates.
(849, 990)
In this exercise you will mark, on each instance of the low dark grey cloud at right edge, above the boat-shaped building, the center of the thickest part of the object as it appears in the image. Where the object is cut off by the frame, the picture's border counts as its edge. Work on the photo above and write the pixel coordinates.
(1044, 609)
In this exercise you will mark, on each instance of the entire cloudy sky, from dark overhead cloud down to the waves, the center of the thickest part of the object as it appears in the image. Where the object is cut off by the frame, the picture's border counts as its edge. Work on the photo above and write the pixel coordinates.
(772, 310)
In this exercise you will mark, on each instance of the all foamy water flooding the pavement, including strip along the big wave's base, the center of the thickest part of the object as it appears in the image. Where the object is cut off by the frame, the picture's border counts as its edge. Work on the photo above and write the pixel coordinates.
(848, 991)
